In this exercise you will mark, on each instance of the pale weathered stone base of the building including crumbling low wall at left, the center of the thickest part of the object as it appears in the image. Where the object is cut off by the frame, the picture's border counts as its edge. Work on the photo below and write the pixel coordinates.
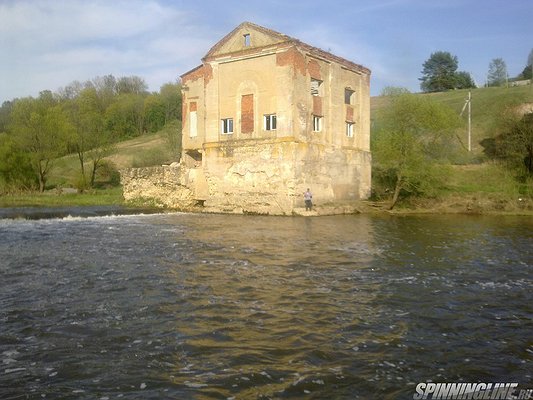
(258, 177)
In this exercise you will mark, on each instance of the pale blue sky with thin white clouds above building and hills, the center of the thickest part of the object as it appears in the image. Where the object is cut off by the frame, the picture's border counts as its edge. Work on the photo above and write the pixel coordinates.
(47, 44)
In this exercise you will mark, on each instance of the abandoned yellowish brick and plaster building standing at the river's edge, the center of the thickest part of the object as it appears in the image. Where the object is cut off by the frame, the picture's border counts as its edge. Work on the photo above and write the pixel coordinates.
(266, 116)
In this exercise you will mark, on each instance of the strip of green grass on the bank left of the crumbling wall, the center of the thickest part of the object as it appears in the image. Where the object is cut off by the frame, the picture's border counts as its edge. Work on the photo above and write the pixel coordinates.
(52, 198)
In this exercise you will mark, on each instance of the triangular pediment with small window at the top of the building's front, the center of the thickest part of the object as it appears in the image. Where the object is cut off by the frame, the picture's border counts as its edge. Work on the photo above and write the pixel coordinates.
(245, 37)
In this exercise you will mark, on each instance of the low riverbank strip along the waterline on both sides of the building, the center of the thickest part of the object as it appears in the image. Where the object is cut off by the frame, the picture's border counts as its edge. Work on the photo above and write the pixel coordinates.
(113, 200)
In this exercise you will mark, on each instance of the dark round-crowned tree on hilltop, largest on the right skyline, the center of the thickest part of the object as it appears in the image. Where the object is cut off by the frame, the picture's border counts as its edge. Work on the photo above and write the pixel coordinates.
(439, 73)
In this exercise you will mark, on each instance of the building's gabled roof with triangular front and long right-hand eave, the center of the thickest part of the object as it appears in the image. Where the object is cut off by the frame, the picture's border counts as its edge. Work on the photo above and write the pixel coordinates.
(264, 37)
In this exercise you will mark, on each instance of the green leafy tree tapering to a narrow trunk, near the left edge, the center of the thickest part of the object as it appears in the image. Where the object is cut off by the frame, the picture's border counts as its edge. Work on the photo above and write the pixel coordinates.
(41, 128)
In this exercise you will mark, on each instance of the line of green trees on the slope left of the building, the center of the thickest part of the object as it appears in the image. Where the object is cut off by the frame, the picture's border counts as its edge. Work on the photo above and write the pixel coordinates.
(85, 119)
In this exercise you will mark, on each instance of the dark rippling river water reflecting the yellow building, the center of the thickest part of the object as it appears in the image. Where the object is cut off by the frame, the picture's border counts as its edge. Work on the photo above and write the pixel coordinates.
(183, 306)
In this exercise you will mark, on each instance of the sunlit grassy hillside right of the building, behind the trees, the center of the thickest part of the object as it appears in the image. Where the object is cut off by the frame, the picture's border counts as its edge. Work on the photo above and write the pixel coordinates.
(478, 180)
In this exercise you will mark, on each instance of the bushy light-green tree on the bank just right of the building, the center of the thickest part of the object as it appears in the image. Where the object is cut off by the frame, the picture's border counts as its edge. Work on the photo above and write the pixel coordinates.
(407, 147)
